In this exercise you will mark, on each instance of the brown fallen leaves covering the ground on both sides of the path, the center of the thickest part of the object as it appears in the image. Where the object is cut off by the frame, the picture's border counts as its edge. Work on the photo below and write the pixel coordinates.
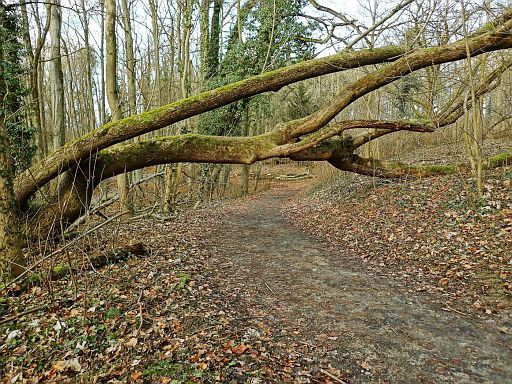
(197, 310)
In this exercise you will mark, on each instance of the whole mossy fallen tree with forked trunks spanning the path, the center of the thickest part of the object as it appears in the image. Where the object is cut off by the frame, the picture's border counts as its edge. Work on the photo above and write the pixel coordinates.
(91, 159)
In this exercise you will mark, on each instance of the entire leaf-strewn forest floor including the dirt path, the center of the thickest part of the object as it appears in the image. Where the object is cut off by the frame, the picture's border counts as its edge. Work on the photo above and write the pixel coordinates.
(362, 282)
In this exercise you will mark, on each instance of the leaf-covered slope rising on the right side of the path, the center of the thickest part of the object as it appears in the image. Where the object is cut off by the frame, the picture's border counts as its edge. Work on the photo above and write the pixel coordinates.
(434, 234)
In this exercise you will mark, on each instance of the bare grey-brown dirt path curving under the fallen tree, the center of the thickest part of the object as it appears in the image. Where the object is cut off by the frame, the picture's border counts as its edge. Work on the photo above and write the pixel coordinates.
(362, 322)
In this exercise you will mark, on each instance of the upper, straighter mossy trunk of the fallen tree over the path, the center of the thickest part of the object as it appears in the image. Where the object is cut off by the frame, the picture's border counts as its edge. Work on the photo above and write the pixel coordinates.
(115, 132)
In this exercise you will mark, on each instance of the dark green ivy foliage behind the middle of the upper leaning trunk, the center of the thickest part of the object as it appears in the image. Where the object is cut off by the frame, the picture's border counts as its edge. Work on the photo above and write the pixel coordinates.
(270, 39)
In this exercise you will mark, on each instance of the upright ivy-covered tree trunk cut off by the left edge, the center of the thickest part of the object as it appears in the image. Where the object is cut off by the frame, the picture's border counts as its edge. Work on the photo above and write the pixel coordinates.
(11, 256)
